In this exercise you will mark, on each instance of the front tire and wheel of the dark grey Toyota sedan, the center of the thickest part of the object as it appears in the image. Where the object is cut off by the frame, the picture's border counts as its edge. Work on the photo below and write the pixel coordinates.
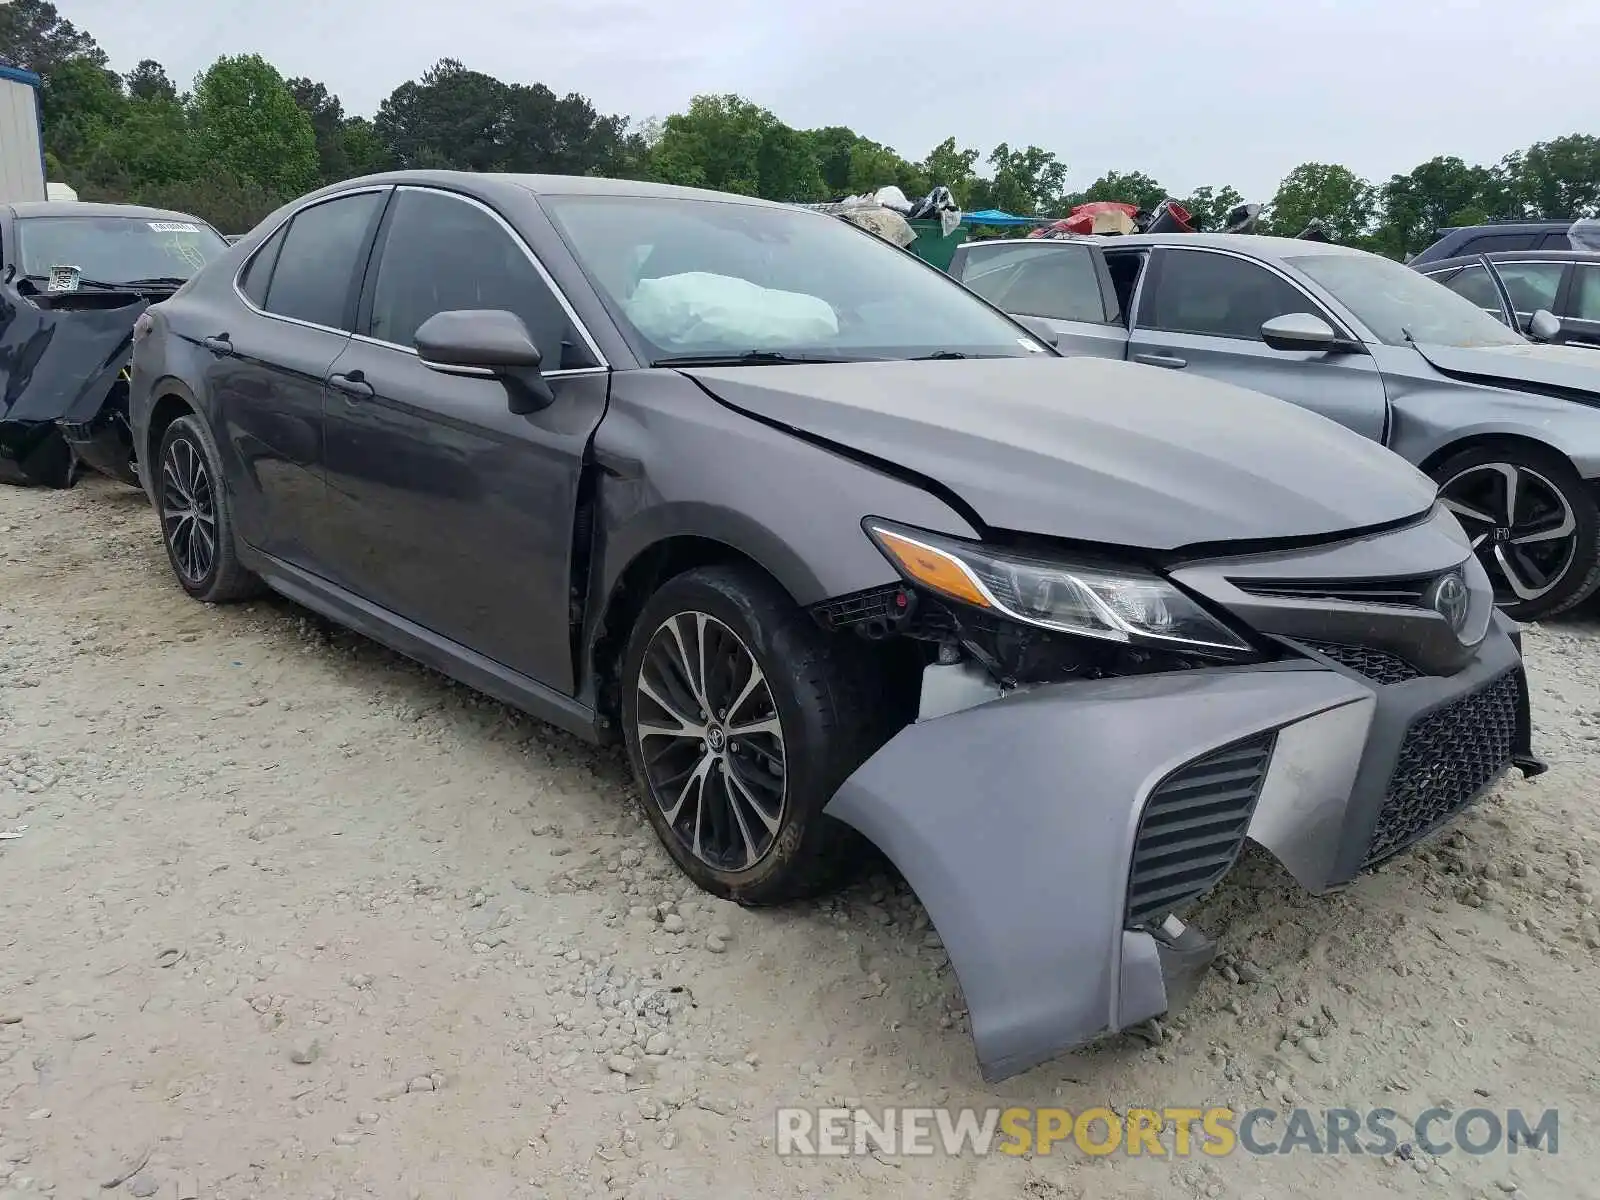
(742, 721)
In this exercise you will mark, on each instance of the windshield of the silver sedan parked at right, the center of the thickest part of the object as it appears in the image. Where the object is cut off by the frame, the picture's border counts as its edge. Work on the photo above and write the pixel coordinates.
(1391, 298)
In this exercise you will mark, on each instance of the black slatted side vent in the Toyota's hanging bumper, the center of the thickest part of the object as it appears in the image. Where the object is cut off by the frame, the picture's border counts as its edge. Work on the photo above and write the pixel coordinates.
(1193, 828)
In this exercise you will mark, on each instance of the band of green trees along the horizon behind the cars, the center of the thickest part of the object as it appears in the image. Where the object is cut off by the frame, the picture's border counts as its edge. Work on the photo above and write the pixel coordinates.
(246, 142)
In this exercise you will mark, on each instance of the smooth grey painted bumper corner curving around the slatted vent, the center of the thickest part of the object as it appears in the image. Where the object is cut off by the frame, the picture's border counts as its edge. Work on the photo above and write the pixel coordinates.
(1015, 820)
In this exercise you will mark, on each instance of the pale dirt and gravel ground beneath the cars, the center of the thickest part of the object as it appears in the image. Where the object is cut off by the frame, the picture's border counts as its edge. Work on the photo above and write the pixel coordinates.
(294, 918)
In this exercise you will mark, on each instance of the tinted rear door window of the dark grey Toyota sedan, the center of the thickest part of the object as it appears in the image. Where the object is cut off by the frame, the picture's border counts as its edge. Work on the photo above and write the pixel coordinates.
(322, 254)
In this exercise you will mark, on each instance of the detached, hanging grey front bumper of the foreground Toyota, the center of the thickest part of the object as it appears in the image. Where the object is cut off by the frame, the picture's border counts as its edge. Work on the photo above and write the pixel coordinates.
(1052, 833)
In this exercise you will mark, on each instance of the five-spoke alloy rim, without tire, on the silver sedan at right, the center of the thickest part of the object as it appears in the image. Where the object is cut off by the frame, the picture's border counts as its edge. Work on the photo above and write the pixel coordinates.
(1521, 526)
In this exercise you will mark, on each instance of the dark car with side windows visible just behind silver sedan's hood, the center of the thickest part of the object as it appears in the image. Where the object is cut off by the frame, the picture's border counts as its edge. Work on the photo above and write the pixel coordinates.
(1521, 282)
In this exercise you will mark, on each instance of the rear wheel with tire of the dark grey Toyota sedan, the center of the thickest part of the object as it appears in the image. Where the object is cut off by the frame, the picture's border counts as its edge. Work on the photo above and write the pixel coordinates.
(198, 522)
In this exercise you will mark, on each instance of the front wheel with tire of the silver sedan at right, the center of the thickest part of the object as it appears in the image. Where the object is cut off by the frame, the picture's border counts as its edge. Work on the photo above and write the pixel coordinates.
(1534, 524)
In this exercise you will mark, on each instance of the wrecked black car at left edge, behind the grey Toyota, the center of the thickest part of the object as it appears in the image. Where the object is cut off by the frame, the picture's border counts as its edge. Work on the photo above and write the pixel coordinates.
(74, 279)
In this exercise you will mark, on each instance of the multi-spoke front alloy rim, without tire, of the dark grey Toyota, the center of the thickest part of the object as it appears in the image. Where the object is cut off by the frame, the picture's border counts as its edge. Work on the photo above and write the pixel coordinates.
(711, 742)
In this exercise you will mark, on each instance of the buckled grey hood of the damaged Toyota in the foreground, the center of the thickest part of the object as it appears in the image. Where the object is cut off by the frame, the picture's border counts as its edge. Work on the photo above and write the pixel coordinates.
(1092, 450)
